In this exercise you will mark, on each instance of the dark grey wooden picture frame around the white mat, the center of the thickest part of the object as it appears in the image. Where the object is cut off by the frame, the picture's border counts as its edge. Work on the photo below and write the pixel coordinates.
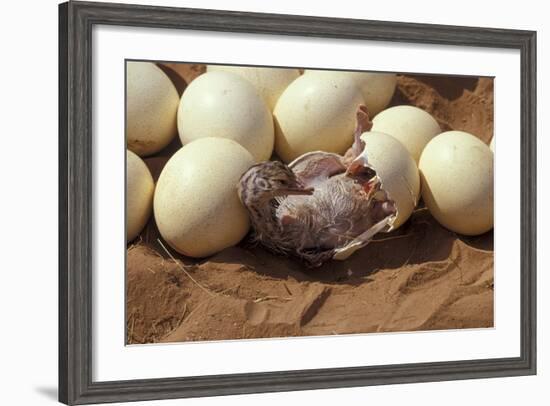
(76, 20)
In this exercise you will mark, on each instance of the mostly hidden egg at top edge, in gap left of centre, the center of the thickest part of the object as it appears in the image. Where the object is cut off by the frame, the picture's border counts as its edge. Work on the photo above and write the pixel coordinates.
(269, 82)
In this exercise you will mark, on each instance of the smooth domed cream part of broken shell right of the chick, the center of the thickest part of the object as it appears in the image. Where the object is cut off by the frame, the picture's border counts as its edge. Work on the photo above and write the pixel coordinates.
(397, 172)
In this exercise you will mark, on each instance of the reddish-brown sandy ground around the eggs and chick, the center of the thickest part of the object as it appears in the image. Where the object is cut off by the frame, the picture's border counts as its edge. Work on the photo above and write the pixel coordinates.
(420, 277)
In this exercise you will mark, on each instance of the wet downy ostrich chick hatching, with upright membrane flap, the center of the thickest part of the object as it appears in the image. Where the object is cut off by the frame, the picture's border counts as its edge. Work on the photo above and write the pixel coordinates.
(321, 206)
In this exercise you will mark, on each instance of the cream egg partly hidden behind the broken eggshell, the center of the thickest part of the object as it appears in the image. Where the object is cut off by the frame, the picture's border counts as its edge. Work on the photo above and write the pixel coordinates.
(412, 126)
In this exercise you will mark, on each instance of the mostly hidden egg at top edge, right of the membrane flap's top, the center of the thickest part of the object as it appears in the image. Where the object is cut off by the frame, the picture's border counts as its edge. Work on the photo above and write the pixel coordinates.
(377, 88)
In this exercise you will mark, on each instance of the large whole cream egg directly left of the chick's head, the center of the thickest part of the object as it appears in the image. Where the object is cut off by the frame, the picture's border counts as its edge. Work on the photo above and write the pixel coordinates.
(196, 205)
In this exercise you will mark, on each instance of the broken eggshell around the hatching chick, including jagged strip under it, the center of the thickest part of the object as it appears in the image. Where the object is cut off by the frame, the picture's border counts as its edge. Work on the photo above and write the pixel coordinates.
(399, 180)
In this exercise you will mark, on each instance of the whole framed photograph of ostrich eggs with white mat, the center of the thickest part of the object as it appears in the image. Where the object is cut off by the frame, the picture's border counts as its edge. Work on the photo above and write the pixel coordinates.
(259, 202)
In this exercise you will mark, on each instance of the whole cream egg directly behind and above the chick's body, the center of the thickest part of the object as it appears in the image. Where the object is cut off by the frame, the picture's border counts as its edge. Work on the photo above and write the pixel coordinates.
(316, 113)
